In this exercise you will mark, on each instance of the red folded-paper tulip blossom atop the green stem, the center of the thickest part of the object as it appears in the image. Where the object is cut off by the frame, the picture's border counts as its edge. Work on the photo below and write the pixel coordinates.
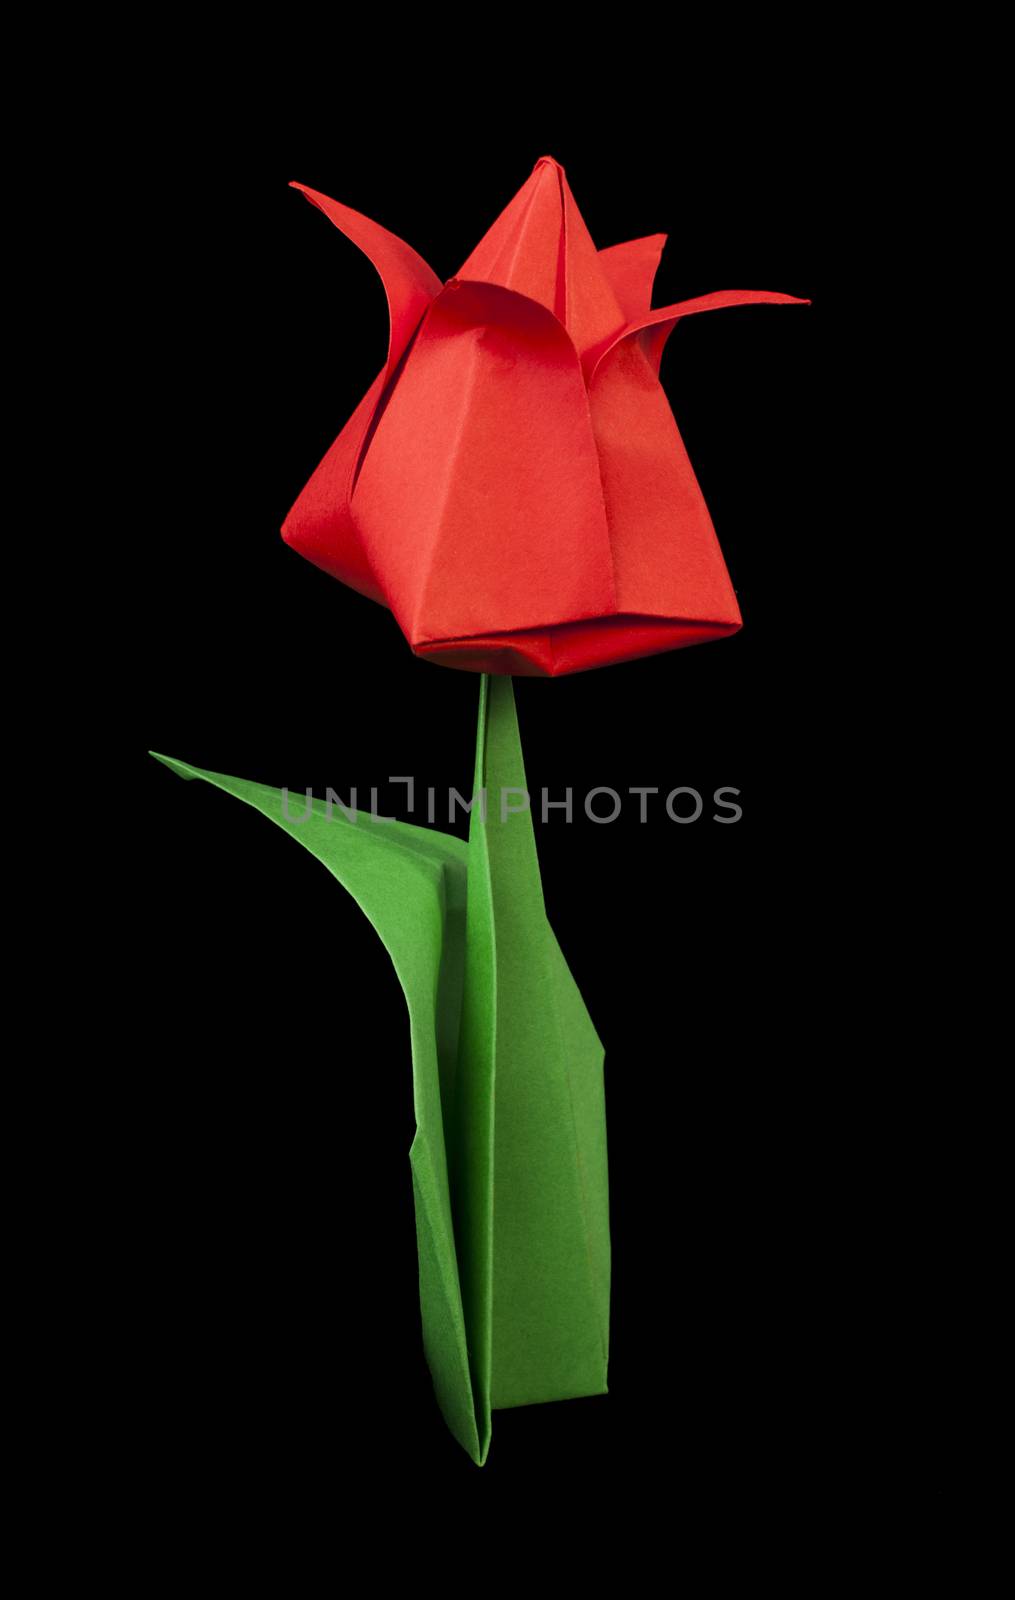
(513, 484)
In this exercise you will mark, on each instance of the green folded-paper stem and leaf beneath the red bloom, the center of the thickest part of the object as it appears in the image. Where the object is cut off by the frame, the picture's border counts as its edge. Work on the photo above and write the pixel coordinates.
(510, 1156)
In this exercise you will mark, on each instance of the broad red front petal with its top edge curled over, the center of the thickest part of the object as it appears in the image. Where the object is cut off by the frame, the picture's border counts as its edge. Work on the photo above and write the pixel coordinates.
(479, 502)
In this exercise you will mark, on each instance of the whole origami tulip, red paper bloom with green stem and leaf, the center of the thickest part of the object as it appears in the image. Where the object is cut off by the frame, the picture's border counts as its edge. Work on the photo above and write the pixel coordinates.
(515, 489)
